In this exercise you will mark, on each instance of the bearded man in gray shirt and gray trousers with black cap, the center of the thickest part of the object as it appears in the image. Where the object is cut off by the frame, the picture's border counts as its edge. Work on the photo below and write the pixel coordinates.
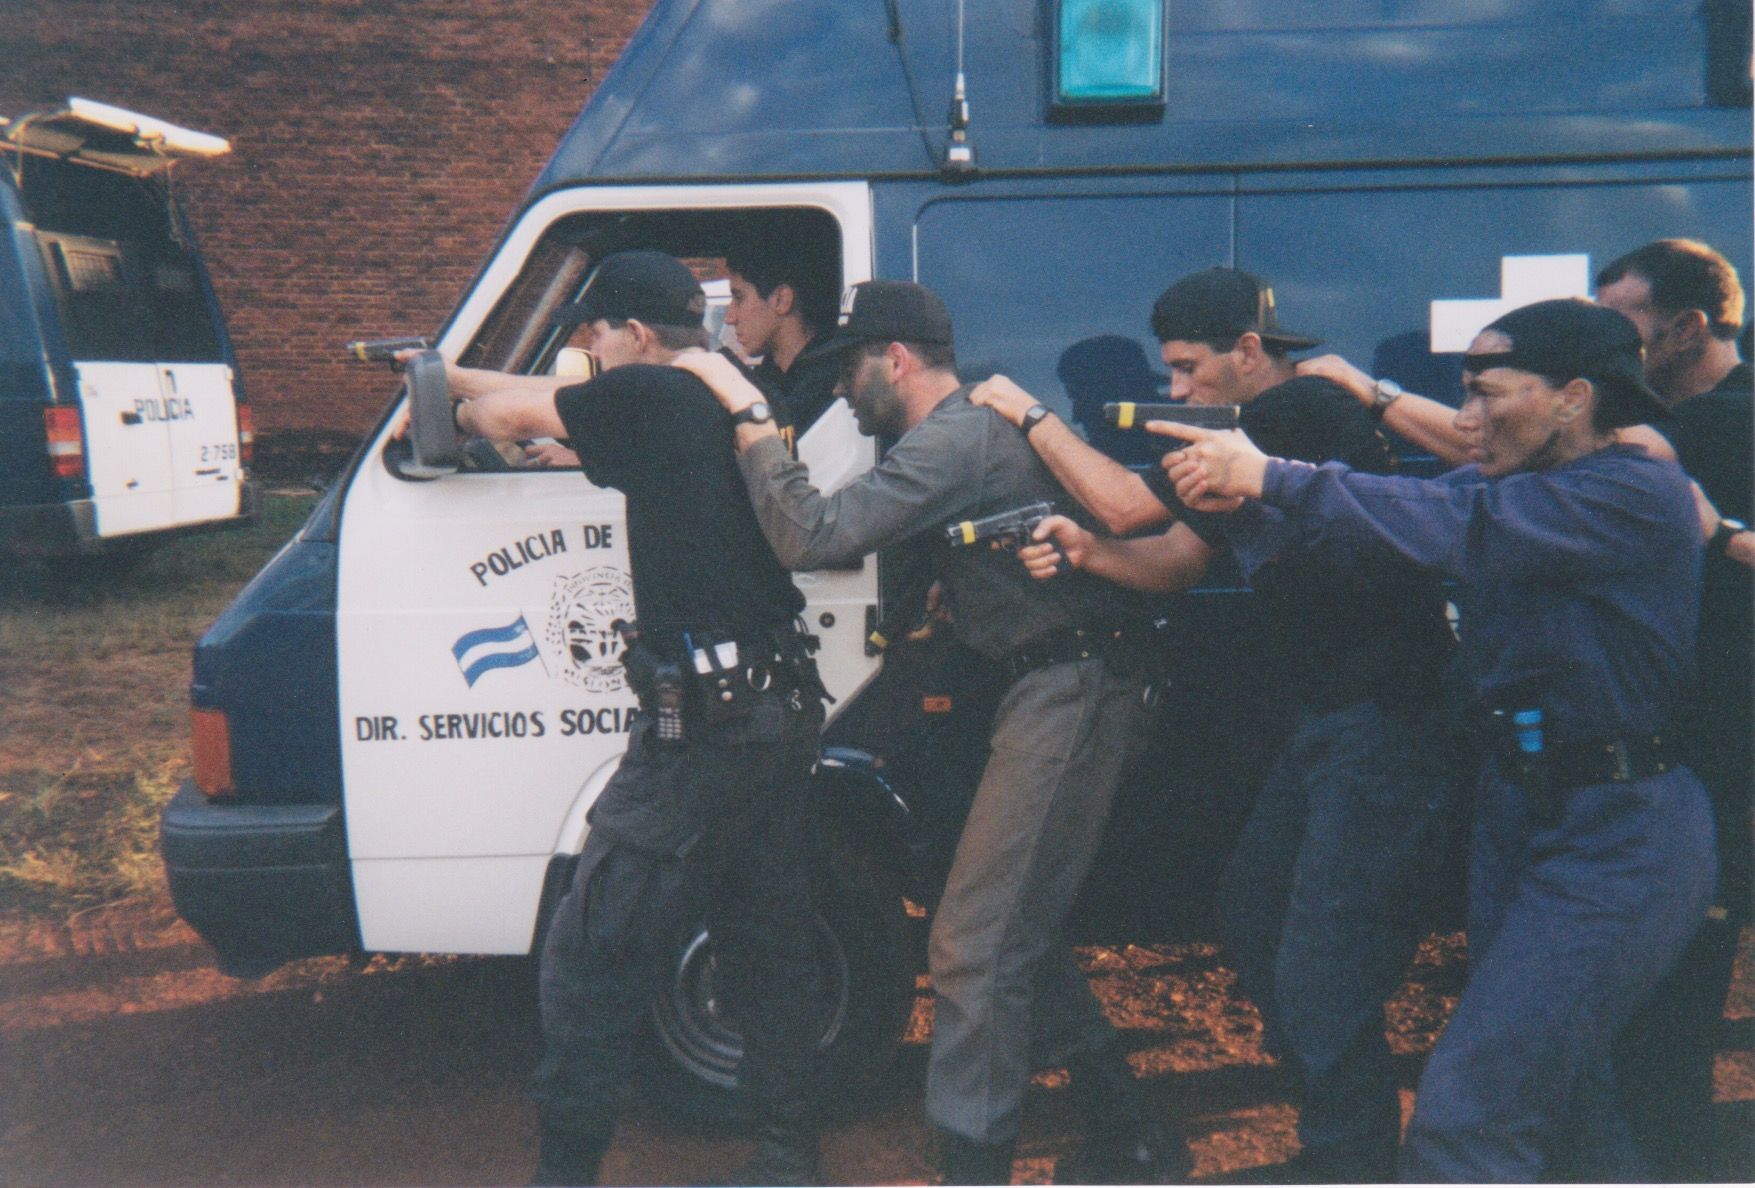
(1010, 996)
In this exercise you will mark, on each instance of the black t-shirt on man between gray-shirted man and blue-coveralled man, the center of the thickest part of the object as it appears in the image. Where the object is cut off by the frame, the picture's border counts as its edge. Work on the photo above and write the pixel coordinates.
(1368, 627)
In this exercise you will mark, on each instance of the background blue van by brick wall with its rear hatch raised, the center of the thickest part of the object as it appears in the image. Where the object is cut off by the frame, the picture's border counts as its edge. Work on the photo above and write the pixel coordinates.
(122, 412)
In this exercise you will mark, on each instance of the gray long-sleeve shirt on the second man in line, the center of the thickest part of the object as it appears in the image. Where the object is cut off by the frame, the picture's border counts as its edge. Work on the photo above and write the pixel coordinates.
(961, 462)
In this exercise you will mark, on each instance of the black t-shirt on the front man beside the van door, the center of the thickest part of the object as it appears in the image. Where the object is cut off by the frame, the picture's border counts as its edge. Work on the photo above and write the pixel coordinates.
(699, 559)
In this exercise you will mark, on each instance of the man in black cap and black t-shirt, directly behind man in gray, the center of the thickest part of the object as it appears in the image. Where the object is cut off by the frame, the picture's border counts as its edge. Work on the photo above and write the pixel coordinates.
(1321, 906)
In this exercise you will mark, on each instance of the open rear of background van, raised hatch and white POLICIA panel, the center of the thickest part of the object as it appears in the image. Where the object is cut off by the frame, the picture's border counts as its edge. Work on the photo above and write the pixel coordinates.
(129, 322)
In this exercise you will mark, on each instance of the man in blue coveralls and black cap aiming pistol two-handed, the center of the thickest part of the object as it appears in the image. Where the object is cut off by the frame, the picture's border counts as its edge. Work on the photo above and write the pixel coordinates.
(1579, 573)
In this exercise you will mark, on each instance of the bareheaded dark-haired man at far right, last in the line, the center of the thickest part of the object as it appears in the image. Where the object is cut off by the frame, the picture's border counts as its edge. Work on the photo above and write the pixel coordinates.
(1689, 308)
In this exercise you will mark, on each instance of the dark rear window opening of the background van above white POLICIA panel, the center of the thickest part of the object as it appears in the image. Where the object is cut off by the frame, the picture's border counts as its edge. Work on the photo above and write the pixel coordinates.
(125, 278)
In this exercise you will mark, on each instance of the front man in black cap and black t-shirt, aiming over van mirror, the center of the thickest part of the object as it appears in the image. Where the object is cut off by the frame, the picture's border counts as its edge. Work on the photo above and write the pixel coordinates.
(706, 815)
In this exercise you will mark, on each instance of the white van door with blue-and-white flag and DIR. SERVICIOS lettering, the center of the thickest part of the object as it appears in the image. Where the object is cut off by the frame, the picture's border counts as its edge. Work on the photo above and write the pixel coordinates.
(480, 692)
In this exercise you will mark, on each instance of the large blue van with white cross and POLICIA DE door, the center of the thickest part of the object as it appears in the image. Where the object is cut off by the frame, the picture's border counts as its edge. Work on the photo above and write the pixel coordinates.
(1401, 169)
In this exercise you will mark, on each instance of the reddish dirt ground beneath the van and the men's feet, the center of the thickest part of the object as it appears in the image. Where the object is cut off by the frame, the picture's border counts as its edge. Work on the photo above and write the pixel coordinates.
(127, 1059)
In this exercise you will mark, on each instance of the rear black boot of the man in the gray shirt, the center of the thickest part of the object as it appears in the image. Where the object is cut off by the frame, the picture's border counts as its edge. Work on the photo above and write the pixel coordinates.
(1124, 1141)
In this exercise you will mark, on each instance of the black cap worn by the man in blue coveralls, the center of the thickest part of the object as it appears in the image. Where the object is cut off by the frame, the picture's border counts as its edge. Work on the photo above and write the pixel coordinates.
(1575, 340)
